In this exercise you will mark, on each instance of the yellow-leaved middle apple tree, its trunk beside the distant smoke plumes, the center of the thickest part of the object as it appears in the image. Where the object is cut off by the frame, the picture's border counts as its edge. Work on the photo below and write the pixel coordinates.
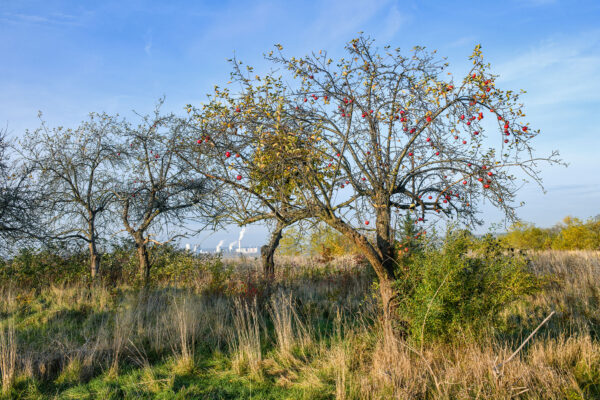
(255, 150)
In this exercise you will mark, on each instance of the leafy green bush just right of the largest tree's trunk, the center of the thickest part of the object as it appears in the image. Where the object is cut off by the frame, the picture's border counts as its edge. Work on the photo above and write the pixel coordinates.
(460, 286)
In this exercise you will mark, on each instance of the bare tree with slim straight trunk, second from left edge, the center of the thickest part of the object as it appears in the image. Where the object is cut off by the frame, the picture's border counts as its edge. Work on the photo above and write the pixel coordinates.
(72, 170)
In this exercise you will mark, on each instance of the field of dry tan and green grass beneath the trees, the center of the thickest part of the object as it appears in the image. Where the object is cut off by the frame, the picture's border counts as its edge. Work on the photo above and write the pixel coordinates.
(312, 334)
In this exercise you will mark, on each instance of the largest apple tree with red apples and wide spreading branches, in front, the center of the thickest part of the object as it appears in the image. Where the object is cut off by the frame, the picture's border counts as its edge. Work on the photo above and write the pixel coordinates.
(377, 132)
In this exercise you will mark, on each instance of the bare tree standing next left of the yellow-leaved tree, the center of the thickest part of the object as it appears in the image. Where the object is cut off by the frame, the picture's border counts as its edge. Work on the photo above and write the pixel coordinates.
(154, 188)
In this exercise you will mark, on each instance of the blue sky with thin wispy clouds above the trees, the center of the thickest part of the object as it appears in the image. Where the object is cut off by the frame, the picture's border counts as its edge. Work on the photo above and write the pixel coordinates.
(68, 58)
